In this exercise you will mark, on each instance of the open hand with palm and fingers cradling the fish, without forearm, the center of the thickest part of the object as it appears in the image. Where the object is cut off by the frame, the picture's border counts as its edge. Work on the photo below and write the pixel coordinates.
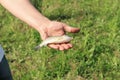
(54, 28)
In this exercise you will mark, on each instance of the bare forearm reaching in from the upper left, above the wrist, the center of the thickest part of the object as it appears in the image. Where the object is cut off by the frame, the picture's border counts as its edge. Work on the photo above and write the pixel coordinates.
(25, 11)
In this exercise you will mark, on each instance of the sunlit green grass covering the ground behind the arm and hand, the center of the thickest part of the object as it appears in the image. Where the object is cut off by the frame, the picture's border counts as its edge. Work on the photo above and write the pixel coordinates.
(96, 51)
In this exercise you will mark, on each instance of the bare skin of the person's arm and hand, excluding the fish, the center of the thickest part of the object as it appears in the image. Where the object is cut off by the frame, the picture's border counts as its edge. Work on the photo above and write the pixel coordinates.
(25, 11)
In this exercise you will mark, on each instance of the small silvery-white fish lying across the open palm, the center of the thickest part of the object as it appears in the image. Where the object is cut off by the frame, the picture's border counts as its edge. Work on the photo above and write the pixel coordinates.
(54, 39)
